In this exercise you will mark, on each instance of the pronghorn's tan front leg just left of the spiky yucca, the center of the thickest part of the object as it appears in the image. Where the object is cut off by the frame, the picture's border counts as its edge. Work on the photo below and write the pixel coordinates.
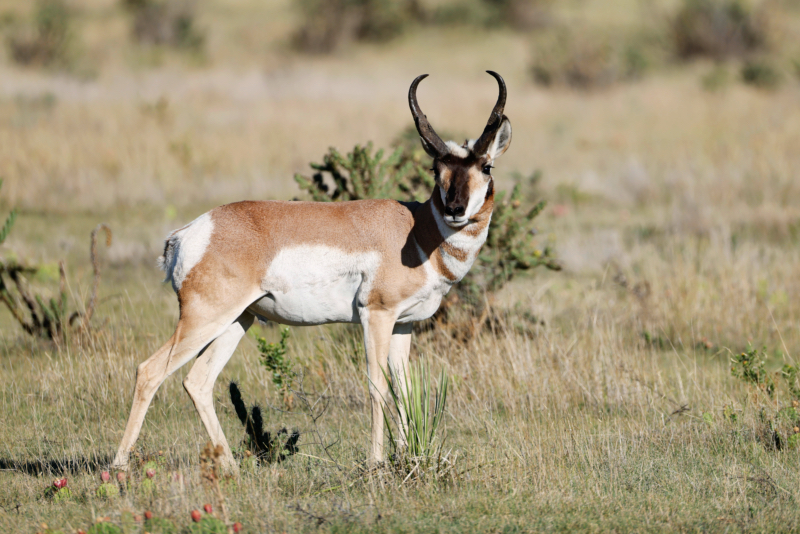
(377, 334)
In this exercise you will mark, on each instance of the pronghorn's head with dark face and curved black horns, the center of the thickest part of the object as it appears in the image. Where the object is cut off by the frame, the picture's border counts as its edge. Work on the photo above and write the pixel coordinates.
(463, 172)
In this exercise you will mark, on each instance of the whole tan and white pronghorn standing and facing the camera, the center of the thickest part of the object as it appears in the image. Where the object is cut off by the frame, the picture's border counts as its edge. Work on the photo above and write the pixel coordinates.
(381, 263)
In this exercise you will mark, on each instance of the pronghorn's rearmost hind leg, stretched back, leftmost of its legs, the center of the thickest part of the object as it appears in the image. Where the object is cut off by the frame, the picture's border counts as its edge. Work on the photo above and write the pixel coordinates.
(190, 336)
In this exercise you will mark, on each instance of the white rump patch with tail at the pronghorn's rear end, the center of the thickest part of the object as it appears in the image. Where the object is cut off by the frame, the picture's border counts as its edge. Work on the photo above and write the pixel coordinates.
(185, 248)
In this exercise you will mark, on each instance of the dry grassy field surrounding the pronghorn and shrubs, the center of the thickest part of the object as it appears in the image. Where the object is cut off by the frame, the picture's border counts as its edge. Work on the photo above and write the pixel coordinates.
(674, 210)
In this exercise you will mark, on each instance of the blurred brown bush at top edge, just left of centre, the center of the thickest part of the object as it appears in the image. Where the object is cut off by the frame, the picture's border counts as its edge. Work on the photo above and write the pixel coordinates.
(328, 24)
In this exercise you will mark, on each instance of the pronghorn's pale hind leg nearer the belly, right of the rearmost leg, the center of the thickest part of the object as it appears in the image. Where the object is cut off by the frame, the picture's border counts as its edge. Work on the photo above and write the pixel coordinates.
(199, 383)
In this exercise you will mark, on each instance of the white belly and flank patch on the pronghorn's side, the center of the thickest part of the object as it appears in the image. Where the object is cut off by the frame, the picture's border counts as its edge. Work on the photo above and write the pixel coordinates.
(315, 284)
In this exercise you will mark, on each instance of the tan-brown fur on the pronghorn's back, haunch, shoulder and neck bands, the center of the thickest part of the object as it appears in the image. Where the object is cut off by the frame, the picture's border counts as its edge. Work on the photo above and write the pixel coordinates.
(248, 235)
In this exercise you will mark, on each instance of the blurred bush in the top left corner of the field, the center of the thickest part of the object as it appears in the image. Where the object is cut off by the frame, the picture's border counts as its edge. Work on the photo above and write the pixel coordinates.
(48, 41)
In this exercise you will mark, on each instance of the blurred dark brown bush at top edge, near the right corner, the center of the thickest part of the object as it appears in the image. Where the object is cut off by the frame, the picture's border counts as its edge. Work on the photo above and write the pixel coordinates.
(719, 29)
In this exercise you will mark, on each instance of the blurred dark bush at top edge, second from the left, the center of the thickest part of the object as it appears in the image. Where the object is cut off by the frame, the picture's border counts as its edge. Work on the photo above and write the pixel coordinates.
(166, 22)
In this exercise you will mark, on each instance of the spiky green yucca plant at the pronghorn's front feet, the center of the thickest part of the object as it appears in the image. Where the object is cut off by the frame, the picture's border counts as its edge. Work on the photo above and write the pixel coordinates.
(420, 412)
